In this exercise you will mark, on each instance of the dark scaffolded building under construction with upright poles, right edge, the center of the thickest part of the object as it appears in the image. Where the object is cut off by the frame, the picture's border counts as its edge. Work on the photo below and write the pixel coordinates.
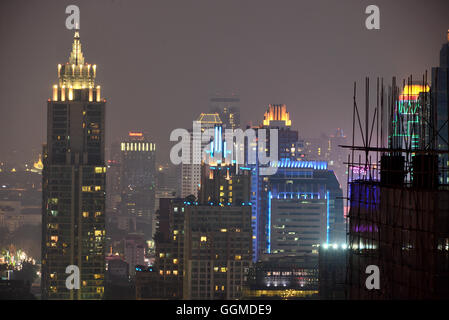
(398, 195)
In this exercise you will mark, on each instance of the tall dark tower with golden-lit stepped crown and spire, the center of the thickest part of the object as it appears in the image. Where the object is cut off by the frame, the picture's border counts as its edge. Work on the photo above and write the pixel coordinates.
(73, 208)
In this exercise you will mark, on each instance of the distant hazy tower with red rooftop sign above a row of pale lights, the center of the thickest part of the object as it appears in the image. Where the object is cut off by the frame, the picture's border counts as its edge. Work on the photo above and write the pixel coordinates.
(138, 180)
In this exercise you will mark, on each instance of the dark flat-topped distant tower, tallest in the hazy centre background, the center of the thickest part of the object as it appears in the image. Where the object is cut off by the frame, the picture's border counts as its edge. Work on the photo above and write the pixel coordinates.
(228, 109)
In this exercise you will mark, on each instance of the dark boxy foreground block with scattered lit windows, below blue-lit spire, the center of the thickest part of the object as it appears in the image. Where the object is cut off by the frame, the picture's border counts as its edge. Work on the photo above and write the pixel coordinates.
(217, 251)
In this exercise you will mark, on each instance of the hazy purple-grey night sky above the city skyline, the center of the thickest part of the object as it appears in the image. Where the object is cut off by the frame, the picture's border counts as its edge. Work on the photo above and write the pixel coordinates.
(158, 61)
